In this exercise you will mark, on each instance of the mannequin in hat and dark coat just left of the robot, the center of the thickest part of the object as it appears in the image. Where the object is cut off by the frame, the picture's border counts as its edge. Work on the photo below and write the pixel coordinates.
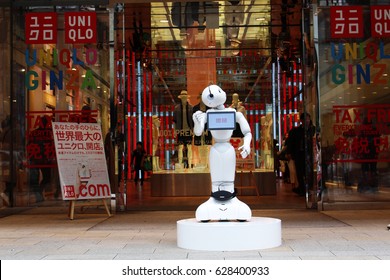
(183, 128)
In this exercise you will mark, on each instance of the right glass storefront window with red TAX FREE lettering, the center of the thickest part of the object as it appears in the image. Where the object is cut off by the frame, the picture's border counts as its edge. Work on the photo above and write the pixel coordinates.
(354, 92)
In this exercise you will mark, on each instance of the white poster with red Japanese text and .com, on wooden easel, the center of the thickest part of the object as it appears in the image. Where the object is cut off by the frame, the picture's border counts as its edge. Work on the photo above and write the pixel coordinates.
(81, 161)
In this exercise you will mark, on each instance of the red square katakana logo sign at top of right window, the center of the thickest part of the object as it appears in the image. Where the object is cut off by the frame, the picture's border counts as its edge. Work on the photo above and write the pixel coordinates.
(346, 22)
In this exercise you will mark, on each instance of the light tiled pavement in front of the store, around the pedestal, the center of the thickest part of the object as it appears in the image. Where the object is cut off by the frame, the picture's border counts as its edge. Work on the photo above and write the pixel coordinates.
(47, 233)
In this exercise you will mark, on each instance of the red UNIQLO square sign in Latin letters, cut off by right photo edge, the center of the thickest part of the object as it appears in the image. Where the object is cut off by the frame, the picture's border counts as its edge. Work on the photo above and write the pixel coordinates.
(380, 21)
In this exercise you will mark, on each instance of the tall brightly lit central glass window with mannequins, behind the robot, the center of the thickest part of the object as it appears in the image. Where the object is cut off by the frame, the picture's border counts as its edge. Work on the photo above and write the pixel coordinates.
(187, 56)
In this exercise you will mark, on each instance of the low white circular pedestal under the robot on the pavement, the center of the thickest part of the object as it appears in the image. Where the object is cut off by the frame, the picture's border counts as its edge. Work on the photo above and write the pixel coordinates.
(258, 233)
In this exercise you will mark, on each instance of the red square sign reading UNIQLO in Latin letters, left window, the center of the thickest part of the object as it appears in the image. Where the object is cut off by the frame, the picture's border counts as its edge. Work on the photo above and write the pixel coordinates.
(80, 27)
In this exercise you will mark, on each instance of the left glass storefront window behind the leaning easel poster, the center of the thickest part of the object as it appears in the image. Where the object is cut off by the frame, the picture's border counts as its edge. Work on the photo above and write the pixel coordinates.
(55, 64)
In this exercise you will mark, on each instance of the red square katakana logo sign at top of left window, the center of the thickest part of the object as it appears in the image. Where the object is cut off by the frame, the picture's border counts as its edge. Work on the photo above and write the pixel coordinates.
(41, 28)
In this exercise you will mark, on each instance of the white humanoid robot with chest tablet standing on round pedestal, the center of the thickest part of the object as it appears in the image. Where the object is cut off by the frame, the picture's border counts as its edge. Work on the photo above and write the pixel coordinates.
(223, 204)
